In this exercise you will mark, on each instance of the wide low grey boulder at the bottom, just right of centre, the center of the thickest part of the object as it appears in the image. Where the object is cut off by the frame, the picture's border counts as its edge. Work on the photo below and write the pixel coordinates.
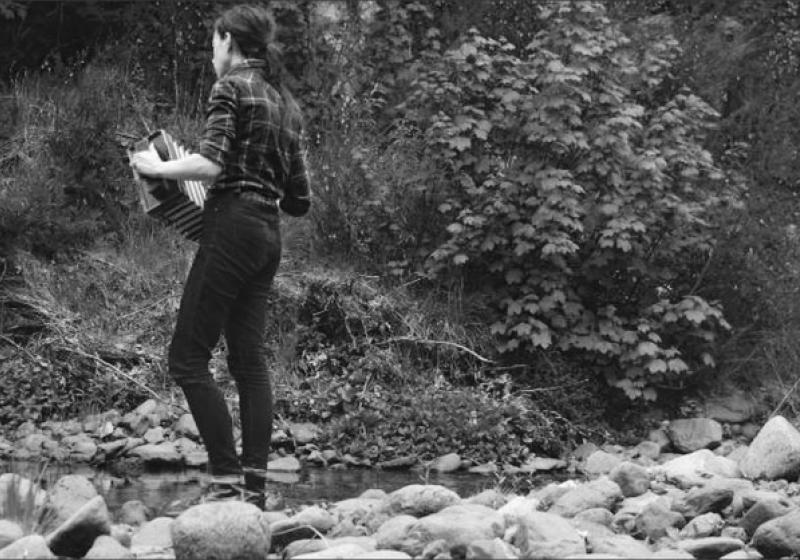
(458, 525)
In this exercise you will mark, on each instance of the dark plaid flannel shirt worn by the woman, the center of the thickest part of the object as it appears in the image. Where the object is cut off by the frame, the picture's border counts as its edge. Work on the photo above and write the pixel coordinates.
(246, 136)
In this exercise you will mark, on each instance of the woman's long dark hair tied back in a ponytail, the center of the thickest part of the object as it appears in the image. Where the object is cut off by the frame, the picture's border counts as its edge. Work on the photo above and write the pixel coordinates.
(252, 28)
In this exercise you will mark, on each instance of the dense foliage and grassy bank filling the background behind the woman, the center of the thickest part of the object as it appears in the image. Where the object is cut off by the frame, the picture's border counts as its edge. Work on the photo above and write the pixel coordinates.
(594, 198)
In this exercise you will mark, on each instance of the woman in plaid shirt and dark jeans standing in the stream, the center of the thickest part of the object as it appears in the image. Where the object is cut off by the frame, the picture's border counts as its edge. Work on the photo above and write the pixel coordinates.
(251, 155)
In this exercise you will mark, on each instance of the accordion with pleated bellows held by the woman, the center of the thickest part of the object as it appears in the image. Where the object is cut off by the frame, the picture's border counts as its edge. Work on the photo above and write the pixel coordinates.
(178, 203)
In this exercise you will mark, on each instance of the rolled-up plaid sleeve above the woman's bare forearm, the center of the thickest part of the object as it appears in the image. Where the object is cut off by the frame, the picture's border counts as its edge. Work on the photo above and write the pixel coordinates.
(220, 131)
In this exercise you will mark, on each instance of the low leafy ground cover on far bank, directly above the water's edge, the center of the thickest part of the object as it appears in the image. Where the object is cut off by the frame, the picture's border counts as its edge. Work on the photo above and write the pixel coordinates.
(386, 424)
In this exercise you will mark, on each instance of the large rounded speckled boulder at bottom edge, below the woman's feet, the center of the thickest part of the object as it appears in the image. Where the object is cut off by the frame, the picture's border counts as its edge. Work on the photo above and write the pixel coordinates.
(221, 530)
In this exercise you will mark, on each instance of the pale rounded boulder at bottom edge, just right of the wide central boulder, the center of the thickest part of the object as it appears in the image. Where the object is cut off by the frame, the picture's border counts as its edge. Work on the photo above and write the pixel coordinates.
(547, 535)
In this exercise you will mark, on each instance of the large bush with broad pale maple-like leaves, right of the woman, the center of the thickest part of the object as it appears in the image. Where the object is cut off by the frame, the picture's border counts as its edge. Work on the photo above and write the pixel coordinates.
(575, 194)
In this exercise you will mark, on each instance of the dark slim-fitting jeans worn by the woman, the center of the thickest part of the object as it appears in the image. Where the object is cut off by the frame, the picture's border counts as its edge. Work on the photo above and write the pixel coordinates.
(228, 289)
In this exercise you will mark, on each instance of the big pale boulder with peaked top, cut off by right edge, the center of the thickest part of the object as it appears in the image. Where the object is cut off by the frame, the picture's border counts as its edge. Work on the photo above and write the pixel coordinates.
(774, 453)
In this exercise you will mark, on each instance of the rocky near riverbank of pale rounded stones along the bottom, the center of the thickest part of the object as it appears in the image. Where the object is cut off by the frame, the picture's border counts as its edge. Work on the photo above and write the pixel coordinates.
(670, 496)
